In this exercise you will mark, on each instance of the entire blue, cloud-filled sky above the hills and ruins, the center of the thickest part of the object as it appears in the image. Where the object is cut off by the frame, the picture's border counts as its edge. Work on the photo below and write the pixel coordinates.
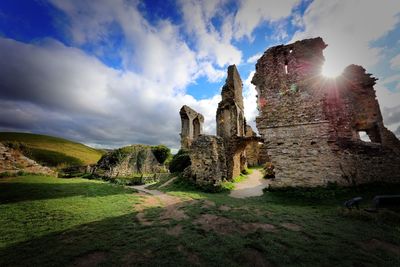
(109, 73)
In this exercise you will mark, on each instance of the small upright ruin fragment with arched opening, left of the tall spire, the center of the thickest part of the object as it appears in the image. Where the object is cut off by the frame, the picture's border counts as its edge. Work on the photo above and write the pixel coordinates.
(192, 126)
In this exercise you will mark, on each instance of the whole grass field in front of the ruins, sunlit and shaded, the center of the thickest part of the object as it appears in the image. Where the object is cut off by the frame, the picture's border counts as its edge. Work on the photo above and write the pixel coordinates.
(50, 221)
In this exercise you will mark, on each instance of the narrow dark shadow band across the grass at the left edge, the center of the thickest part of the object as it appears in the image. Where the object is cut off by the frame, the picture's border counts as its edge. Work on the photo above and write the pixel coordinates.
(12, 192)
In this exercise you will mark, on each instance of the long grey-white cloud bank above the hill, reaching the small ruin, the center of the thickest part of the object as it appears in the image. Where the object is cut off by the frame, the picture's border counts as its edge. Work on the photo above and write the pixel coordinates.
(66, 92)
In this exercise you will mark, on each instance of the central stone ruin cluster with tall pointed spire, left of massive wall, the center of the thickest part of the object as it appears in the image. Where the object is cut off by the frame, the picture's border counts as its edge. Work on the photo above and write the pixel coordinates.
(222, 157)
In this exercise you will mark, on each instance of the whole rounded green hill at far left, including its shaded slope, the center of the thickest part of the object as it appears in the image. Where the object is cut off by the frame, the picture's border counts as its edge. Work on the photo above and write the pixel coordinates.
(53, 151)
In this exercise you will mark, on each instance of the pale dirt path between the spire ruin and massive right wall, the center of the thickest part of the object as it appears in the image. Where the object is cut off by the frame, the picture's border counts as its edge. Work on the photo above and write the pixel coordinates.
(251, 187)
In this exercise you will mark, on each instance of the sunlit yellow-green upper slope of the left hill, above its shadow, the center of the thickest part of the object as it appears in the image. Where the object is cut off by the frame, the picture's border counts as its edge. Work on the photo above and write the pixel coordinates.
(84, 153)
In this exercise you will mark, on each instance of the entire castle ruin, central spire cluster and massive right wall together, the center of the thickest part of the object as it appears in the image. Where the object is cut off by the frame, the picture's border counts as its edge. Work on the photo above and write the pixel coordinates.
(310, 125)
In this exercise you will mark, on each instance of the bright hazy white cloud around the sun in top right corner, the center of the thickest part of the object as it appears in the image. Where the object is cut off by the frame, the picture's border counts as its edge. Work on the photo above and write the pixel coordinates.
(348, 27)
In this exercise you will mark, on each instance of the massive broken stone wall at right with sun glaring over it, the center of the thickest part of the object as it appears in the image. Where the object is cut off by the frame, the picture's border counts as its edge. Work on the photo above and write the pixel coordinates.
(311, 124)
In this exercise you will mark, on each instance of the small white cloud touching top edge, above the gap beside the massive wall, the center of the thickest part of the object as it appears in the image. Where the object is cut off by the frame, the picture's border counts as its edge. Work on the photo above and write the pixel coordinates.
(252, 13)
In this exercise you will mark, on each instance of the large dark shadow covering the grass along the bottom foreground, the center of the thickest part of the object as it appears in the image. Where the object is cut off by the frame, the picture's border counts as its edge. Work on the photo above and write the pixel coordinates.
(123, 241)
